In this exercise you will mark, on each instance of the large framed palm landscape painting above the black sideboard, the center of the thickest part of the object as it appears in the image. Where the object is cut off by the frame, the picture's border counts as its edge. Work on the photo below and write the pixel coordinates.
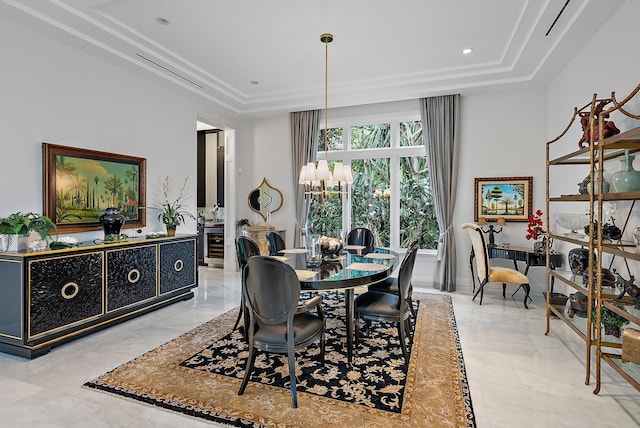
(79, 184)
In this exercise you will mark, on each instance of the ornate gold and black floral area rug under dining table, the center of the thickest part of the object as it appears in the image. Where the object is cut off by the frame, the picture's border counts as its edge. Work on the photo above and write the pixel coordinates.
(199, 373)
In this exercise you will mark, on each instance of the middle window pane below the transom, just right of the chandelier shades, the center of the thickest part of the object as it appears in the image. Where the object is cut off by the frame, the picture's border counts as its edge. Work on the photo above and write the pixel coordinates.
(370, 197)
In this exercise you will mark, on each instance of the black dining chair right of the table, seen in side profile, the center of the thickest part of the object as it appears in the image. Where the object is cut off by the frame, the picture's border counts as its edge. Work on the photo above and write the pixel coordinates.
(386, 307)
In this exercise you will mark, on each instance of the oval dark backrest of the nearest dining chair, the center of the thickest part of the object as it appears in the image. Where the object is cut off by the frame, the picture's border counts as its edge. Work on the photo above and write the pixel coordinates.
(271, 289)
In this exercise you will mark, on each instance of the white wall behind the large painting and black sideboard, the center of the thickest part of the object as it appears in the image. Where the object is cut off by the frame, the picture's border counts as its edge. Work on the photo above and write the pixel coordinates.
(55, 93)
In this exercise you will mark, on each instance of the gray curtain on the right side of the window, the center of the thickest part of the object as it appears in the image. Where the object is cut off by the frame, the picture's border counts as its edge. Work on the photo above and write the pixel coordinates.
(441, 132)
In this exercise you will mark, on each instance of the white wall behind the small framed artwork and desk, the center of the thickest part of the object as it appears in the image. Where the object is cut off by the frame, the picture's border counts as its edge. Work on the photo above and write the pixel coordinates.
(503, 135)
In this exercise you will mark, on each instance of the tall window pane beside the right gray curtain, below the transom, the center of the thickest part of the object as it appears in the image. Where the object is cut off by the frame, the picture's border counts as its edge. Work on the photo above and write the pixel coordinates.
(417, 213)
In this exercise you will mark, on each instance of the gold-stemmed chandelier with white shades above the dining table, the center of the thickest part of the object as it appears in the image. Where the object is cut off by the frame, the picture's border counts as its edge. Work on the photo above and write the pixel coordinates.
(318, 179)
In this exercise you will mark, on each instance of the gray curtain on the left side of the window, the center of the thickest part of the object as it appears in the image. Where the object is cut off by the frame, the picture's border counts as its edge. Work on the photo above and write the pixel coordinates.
(305, 128)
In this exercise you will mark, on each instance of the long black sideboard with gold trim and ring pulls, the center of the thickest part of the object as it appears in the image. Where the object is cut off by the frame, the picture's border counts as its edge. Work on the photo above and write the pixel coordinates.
(52, 296)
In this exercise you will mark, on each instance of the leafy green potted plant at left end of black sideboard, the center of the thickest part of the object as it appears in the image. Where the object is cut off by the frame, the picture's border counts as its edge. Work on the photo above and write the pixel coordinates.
(16, 228)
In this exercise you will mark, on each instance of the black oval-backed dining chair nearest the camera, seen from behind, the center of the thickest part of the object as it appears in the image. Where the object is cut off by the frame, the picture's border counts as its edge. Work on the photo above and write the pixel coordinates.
(271, 291)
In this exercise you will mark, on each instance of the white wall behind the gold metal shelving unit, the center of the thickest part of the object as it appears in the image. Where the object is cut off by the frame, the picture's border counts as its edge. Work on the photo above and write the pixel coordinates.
(608, 62)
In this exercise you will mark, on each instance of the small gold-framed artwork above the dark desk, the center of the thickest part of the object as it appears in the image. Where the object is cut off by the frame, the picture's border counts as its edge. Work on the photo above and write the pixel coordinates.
(507, 197)
